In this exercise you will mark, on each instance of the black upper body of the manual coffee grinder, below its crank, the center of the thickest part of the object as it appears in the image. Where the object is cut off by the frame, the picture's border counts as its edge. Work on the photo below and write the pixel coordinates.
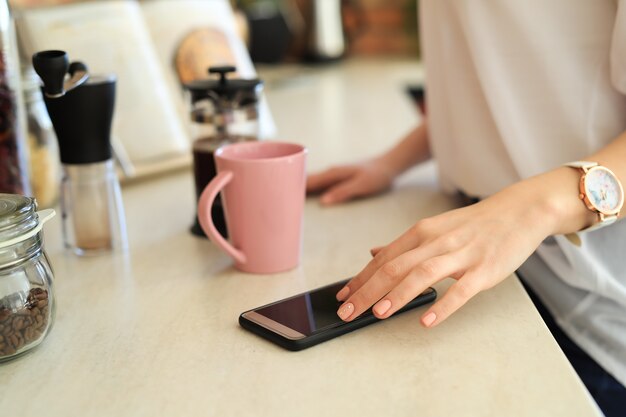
(82, 120)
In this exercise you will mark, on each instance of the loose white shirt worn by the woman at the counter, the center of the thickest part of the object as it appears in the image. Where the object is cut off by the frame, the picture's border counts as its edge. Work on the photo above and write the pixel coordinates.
(516, 88)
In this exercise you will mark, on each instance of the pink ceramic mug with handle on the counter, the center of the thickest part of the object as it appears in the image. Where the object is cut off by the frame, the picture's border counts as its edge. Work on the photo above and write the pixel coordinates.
(263, 192)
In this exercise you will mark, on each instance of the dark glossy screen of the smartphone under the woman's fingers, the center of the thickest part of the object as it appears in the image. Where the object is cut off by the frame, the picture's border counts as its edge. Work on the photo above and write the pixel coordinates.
(309, 312)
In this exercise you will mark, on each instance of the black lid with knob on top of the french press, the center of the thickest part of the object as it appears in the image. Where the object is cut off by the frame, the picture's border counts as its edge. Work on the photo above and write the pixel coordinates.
(244, 90)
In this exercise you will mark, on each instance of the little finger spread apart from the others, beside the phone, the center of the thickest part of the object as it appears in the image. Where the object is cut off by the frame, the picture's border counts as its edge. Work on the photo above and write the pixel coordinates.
(456, 296)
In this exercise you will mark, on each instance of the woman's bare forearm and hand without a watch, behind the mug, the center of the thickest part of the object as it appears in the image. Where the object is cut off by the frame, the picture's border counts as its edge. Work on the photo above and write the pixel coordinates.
(346, 182)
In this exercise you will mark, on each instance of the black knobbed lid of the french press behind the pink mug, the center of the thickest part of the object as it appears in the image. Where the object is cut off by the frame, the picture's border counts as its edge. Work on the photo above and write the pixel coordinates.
(223, 87)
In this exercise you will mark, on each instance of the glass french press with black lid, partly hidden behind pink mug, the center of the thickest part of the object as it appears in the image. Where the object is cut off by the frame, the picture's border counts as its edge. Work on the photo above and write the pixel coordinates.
(223, 111)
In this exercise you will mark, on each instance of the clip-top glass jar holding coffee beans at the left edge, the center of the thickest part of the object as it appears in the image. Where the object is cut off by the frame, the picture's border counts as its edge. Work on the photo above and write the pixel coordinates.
(26, 294)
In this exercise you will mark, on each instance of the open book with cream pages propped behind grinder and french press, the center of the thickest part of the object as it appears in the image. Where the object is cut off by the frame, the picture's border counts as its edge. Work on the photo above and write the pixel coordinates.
(139, 41)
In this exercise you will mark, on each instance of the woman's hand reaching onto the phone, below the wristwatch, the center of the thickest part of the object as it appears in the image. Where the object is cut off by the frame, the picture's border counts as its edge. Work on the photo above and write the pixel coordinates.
(478, 246)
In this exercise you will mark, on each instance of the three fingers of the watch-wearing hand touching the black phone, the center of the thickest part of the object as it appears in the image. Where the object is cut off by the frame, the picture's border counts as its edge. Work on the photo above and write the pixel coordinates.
(411, 273)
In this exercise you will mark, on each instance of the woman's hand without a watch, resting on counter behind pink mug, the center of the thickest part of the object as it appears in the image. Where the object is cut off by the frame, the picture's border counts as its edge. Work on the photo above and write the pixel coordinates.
(343, 183)
